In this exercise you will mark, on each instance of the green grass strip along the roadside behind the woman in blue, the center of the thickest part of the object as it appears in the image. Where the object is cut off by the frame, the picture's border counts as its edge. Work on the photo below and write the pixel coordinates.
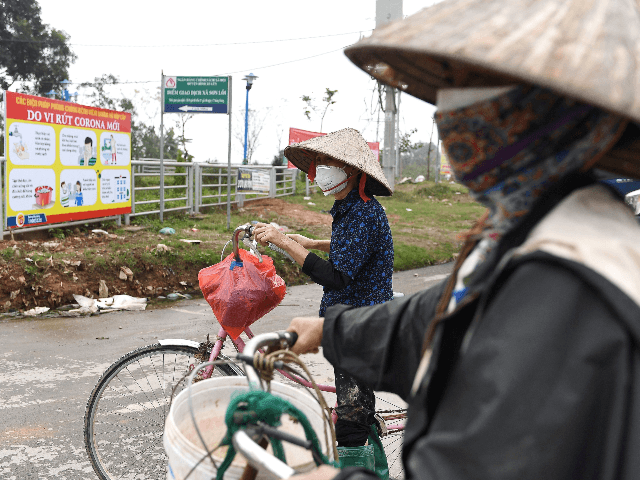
(426, 222)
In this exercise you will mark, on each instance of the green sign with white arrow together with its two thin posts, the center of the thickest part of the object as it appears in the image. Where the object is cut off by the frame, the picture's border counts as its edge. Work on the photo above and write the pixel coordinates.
(194, 95)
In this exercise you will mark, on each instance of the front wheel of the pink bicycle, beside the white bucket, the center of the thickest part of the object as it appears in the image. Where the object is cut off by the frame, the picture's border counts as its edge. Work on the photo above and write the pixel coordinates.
(125, 416)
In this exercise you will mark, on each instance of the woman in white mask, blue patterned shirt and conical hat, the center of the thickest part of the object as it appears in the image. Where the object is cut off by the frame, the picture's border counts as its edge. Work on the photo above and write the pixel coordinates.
(360, 265)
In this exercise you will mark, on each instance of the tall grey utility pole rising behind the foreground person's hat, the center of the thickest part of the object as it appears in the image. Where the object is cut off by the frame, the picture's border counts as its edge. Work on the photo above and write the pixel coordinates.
(386, 12)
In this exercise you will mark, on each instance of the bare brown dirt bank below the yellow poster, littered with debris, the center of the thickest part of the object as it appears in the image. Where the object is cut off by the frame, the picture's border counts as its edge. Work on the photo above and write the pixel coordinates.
(47, 272)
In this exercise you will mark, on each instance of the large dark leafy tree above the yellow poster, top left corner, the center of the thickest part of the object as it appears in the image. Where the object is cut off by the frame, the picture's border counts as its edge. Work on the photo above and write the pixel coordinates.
(33, 56)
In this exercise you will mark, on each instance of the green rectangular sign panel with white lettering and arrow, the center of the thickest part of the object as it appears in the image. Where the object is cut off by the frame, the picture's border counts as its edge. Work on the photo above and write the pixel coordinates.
(195, 94)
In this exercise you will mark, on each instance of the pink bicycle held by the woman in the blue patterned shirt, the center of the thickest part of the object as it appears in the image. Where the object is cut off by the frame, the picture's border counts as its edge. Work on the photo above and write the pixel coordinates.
(127, 409)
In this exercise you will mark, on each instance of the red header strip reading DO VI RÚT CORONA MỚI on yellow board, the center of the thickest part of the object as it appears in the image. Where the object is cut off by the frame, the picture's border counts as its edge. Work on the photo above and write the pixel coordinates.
(45, 110)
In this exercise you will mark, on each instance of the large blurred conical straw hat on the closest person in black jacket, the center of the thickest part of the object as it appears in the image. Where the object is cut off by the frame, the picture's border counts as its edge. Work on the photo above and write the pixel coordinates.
(585, 49)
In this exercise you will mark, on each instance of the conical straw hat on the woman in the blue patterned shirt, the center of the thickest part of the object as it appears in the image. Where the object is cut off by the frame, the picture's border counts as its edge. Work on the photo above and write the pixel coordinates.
(349, 147)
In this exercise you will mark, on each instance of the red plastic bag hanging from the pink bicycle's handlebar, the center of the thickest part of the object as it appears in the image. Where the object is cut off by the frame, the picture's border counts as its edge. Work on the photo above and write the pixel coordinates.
(240, 294)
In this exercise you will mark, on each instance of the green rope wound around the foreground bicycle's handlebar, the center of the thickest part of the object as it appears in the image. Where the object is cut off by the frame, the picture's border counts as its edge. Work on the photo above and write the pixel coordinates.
(267, 408)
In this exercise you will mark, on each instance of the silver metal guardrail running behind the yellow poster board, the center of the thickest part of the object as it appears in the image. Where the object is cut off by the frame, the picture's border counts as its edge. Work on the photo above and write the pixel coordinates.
(189, 187)
